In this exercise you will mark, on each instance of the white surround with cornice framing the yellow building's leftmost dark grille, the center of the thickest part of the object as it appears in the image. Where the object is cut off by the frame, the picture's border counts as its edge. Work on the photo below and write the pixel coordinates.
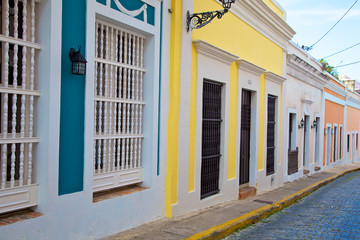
(213, 64)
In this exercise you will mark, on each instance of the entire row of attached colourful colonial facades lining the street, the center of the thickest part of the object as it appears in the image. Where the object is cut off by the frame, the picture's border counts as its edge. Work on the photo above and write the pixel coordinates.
(167, 120)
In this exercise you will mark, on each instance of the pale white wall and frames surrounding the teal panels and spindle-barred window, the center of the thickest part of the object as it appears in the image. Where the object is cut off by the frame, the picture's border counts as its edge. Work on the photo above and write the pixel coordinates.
(75, 216)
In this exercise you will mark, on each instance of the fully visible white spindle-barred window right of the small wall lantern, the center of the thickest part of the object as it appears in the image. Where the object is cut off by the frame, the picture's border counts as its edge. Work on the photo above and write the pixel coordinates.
(119, 105)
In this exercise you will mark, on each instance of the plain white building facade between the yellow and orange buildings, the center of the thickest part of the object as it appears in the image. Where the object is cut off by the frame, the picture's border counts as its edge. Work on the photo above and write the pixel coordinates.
(304, 101)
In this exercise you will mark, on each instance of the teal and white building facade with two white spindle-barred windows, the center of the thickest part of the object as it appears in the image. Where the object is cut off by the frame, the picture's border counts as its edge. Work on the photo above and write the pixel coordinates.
(68, 139)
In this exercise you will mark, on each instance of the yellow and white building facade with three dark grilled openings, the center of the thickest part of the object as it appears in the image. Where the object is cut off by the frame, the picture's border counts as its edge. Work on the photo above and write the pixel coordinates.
(228, 105)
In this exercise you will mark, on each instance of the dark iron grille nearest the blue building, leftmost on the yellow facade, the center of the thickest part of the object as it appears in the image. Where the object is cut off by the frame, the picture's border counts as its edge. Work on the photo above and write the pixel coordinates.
(211, 132)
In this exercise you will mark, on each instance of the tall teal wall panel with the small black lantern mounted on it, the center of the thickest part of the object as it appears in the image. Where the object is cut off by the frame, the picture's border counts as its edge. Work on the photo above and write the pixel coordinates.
(71, 157)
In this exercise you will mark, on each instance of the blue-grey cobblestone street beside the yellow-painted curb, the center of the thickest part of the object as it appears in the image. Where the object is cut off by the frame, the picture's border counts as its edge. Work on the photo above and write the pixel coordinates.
(332, 212)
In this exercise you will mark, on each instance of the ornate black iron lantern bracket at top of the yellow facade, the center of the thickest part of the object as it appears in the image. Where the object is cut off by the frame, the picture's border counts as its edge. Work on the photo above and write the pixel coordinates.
(198, 20)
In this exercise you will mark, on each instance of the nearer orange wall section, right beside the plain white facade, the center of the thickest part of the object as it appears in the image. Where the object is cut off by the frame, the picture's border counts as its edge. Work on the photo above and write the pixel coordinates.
(334, 114)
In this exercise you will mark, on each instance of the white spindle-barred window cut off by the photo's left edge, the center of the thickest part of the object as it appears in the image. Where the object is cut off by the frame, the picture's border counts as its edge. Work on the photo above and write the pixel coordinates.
(18, 96)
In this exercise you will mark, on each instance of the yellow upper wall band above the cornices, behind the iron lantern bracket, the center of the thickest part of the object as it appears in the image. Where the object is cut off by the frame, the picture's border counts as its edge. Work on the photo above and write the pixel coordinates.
(235, 36)
